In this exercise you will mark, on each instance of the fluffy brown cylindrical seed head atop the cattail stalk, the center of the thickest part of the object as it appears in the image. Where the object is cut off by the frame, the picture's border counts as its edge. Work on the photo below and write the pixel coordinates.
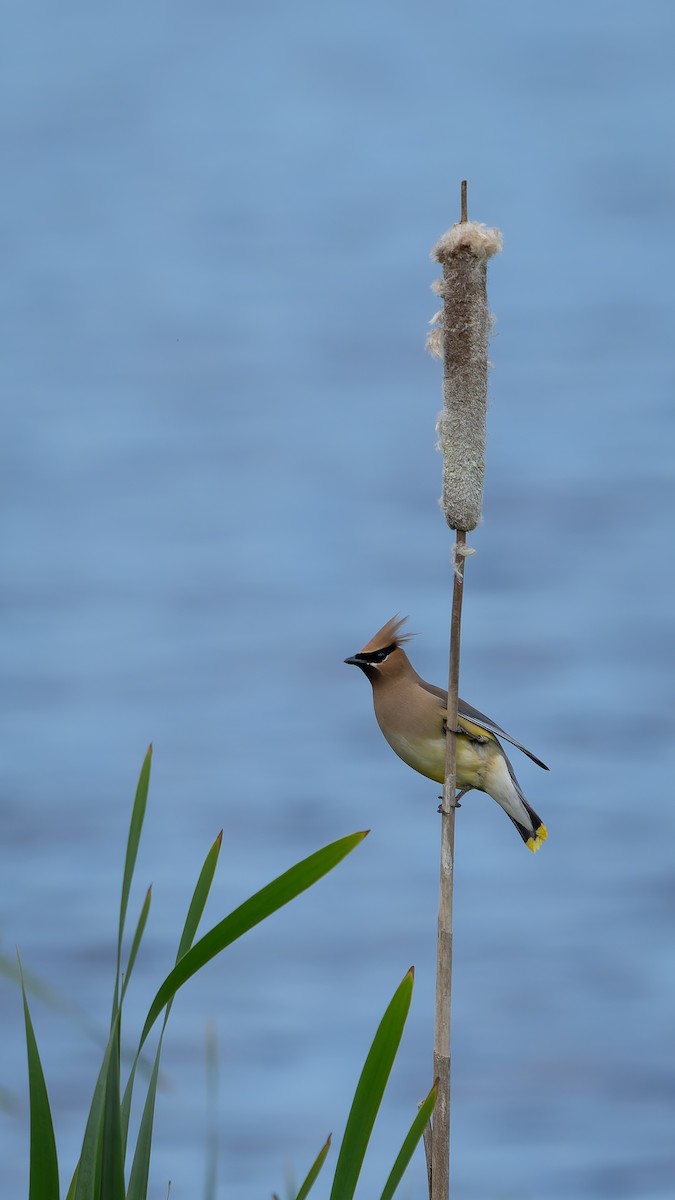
(459, 335)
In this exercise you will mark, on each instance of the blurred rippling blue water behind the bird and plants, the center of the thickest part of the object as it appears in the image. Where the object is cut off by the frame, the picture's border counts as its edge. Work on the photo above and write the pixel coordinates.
(219, 479)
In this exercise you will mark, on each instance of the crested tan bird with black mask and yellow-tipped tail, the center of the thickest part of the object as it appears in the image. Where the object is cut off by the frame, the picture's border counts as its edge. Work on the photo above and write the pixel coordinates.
(413, 716)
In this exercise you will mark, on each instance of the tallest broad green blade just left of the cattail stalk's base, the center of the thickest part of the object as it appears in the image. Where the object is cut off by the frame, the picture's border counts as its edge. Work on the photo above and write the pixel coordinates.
(371, 1089)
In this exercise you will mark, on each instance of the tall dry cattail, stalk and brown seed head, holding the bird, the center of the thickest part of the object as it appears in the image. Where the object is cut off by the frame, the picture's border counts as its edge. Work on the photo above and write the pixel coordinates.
(462, 337)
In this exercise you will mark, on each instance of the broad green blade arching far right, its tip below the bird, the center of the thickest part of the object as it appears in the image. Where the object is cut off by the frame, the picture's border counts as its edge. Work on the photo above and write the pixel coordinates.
(260, 907)
